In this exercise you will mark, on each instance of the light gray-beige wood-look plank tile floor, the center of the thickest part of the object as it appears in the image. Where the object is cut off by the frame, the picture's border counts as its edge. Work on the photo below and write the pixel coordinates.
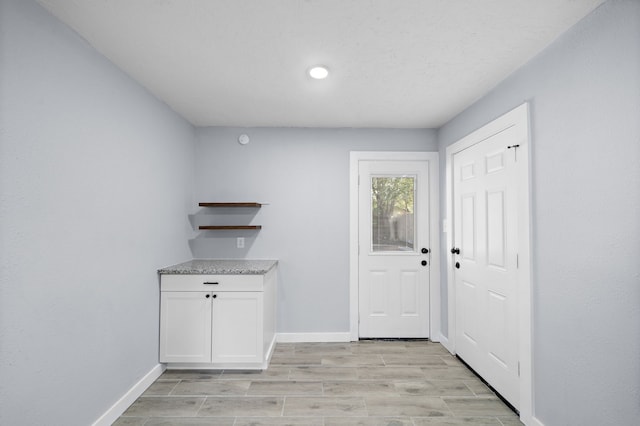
(366, 383)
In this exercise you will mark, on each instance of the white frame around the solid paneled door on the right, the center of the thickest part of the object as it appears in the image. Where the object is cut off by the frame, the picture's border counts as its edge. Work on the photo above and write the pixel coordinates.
(518, 118)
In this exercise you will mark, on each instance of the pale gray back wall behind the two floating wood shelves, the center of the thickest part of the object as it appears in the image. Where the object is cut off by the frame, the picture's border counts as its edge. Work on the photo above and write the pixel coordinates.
(304, 174)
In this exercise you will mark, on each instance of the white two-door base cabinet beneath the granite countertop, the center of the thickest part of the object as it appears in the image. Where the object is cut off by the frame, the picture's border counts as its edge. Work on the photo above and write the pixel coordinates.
(217, 321)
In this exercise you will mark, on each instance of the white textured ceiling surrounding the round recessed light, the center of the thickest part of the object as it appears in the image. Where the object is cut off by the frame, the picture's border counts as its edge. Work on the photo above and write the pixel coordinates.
(393, 63)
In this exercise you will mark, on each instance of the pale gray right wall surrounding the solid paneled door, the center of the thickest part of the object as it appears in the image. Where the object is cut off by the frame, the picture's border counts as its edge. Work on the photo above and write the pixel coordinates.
(585, 113)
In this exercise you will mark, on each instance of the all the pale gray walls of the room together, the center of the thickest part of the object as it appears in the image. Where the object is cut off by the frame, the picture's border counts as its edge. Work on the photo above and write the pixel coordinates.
(96, 183)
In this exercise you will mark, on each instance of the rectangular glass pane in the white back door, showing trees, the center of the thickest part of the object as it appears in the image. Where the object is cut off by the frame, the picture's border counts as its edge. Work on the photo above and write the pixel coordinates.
(392, 218)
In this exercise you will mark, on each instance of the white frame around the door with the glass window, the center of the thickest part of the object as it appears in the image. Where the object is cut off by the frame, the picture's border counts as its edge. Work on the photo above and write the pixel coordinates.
(434, 214)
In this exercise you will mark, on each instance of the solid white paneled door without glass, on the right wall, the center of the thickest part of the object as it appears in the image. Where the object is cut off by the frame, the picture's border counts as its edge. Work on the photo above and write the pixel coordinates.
(486, 260)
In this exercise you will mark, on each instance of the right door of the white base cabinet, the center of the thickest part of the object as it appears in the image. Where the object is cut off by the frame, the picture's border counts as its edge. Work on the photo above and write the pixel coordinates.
(237, 327)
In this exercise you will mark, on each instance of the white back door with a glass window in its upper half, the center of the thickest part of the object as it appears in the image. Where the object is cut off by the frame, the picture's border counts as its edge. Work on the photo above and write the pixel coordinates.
(394, 251)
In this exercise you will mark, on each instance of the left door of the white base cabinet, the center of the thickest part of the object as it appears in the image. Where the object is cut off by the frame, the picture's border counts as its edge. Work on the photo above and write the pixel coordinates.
(185, 326)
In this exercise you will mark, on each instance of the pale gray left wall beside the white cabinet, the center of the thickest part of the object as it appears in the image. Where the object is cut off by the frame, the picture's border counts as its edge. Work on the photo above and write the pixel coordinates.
(96, 184)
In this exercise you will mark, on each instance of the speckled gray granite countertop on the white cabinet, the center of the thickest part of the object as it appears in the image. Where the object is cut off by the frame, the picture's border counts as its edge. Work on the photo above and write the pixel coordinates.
(220, 267)
